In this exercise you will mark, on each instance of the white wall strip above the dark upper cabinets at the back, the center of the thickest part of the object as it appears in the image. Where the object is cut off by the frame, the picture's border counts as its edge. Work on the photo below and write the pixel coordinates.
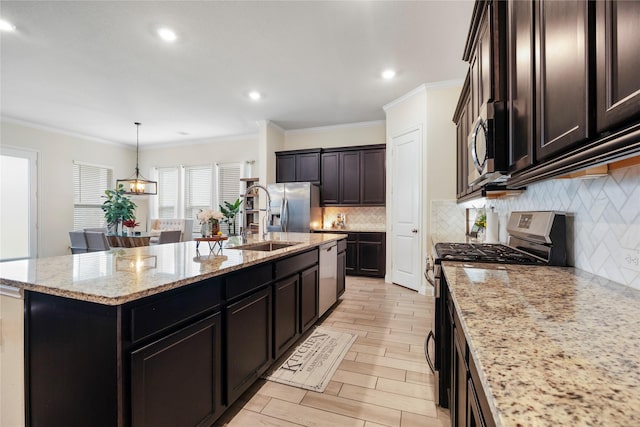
(366, 133)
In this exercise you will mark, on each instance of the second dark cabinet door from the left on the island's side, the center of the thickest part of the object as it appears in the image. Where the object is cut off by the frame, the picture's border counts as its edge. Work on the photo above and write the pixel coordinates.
(248, 344)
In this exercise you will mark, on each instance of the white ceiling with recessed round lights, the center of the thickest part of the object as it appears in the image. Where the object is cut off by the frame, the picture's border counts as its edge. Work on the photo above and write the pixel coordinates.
(93, 68)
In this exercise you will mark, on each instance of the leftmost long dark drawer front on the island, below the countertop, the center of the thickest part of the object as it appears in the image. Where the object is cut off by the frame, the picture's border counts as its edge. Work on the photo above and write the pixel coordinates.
(162, 312)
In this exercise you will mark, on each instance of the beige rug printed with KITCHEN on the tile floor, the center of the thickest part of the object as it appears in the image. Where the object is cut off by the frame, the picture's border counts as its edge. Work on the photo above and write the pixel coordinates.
(313, 363)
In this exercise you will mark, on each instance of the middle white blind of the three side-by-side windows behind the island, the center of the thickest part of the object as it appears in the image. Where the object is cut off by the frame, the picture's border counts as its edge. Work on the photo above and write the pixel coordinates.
(198, 191)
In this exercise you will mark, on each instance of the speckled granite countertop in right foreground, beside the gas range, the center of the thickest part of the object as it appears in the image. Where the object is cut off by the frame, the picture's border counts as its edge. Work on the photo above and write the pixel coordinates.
(554, 345)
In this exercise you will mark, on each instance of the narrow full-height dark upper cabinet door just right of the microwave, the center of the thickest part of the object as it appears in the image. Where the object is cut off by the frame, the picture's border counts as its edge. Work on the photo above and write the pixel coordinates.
(521, 90)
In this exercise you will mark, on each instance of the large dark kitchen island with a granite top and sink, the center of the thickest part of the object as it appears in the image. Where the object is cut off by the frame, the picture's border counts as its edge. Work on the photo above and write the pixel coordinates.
(162, 335)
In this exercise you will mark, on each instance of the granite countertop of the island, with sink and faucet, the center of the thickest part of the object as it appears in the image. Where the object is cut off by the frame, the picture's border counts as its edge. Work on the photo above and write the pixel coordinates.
(122, 275)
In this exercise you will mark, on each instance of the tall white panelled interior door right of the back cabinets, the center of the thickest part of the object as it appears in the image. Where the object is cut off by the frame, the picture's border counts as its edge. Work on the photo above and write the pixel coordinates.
(406, 209)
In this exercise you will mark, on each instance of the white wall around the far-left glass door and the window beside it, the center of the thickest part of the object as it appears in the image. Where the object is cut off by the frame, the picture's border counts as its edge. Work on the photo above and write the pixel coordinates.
(56, 153)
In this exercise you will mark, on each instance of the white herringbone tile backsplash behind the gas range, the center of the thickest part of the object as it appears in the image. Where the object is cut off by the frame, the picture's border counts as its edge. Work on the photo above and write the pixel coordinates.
(603, 219)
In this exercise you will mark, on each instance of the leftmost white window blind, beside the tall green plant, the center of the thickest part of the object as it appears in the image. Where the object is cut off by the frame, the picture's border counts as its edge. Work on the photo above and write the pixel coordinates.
(89, 185)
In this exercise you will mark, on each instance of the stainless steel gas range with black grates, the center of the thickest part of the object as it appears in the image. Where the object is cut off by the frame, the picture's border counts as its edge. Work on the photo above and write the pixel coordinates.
(535, 238)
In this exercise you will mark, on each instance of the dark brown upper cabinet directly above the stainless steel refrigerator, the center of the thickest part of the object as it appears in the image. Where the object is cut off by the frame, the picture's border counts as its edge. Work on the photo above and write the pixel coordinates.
(298, 166)
